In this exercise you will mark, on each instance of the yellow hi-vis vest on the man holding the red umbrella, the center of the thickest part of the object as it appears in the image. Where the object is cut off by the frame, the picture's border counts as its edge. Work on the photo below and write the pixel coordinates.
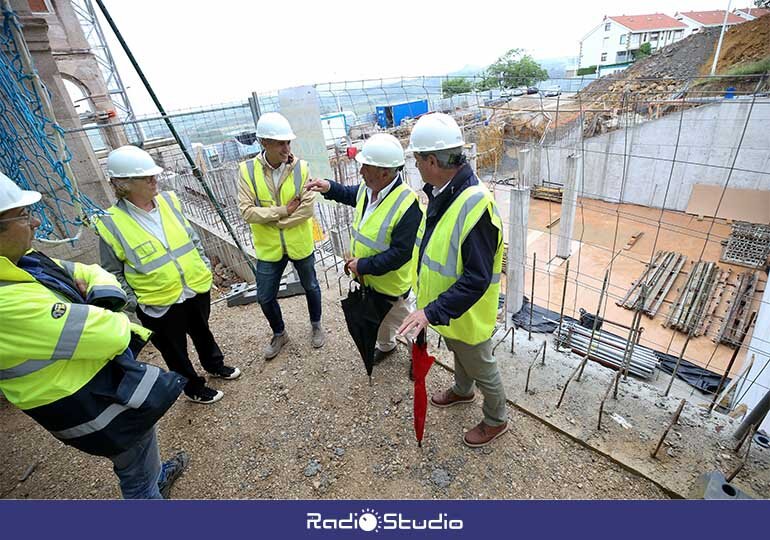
(441, 264)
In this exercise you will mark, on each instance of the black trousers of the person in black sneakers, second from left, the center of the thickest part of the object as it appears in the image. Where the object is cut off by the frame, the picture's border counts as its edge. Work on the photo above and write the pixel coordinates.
(170, 332)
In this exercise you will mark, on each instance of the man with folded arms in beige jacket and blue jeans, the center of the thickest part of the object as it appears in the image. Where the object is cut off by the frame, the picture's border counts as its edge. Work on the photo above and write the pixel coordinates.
(273, 201)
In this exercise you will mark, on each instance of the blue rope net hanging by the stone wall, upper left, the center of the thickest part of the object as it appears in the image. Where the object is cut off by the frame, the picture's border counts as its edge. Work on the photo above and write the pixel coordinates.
(32, 149)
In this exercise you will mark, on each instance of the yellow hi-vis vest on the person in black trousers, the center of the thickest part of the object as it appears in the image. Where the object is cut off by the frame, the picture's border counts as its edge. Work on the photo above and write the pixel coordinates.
(156, 274)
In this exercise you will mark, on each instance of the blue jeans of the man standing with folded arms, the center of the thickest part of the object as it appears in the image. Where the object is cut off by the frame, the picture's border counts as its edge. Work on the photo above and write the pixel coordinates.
(269, 279)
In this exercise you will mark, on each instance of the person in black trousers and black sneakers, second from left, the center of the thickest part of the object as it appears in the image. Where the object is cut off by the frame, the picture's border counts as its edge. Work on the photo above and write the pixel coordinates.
(152, 249)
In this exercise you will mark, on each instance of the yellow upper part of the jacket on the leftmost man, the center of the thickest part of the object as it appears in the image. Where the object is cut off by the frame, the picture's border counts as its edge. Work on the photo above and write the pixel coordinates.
(49, 347)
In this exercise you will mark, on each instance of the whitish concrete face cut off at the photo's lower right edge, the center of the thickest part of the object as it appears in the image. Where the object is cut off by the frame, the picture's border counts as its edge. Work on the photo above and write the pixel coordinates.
(757, 381)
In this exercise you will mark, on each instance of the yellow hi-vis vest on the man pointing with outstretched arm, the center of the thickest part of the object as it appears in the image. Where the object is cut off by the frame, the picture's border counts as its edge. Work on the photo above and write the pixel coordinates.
(373, 237)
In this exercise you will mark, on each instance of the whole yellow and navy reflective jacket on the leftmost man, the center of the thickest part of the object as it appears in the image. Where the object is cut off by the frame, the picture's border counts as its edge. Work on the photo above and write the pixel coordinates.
(67, 364)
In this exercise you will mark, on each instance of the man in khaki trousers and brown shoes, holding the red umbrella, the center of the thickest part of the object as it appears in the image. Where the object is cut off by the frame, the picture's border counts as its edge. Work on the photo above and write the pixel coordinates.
(460, 245)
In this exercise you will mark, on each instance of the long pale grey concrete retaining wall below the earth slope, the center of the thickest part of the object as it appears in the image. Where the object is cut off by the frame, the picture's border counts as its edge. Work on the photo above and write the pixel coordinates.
(710, 136)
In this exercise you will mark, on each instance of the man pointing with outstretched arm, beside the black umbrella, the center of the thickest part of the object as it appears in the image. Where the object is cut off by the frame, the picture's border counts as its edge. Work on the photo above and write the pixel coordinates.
(383, 233)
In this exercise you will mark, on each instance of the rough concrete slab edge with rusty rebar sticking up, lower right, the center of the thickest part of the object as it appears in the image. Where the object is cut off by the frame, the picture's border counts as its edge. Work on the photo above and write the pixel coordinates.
(632, 424)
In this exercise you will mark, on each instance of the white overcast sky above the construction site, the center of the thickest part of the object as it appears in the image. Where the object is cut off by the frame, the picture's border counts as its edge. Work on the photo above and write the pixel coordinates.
(199, 54)
